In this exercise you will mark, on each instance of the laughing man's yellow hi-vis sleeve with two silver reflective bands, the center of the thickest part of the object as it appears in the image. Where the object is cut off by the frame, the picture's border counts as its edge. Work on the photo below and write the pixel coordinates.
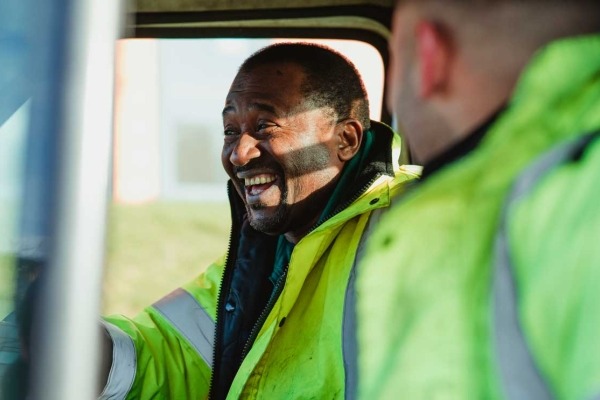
(166, 350)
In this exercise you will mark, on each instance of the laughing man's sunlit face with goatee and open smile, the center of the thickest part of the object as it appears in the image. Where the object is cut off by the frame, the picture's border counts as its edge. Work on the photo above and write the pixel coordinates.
(280, 153)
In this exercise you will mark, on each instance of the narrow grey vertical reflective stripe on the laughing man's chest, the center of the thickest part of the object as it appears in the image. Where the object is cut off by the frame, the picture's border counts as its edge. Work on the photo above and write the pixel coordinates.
(349, 340)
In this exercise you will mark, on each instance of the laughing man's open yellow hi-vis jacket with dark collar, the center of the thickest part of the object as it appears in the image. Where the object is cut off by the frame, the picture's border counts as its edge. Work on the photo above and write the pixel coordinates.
(299, 351)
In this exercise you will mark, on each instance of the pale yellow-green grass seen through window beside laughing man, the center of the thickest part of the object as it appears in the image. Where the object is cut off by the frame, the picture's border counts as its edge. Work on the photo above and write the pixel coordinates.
(154, 248)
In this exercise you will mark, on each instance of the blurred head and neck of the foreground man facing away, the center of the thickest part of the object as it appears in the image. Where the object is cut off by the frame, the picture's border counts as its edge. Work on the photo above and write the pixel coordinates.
(455, 62)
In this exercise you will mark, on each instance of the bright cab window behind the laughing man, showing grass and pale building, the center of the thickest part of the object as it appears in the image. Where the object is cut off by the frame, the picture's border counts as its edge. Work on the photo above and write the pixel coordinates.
(170, 216)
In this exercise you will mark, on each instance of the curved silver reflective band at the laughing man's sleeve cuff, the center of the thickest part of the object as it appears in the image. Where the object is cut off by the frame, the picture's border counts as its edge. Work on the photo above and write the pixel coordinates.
(122, 371)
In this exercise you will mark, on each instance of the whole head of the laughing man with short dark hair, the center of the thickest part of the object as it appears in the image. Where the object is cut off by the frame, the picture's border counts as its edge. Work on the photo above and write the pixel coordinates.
(294, 115)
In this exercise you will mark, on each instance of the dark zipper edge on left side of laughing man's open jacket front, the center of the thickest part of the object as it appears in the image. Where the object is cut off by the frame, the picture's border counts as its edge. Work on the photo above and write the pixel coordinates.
(222, 290)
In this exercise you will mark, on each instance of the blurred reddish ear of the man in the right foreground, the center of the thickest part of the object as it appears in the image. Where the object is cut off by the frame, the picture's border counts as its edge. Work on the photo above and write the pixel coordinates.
(434, 56)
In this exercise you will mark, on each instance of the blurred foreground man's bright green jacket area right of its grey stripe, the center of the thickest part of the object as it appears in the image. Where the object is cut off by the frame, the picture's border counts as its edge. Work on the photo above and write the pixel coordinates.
(554, 234)
